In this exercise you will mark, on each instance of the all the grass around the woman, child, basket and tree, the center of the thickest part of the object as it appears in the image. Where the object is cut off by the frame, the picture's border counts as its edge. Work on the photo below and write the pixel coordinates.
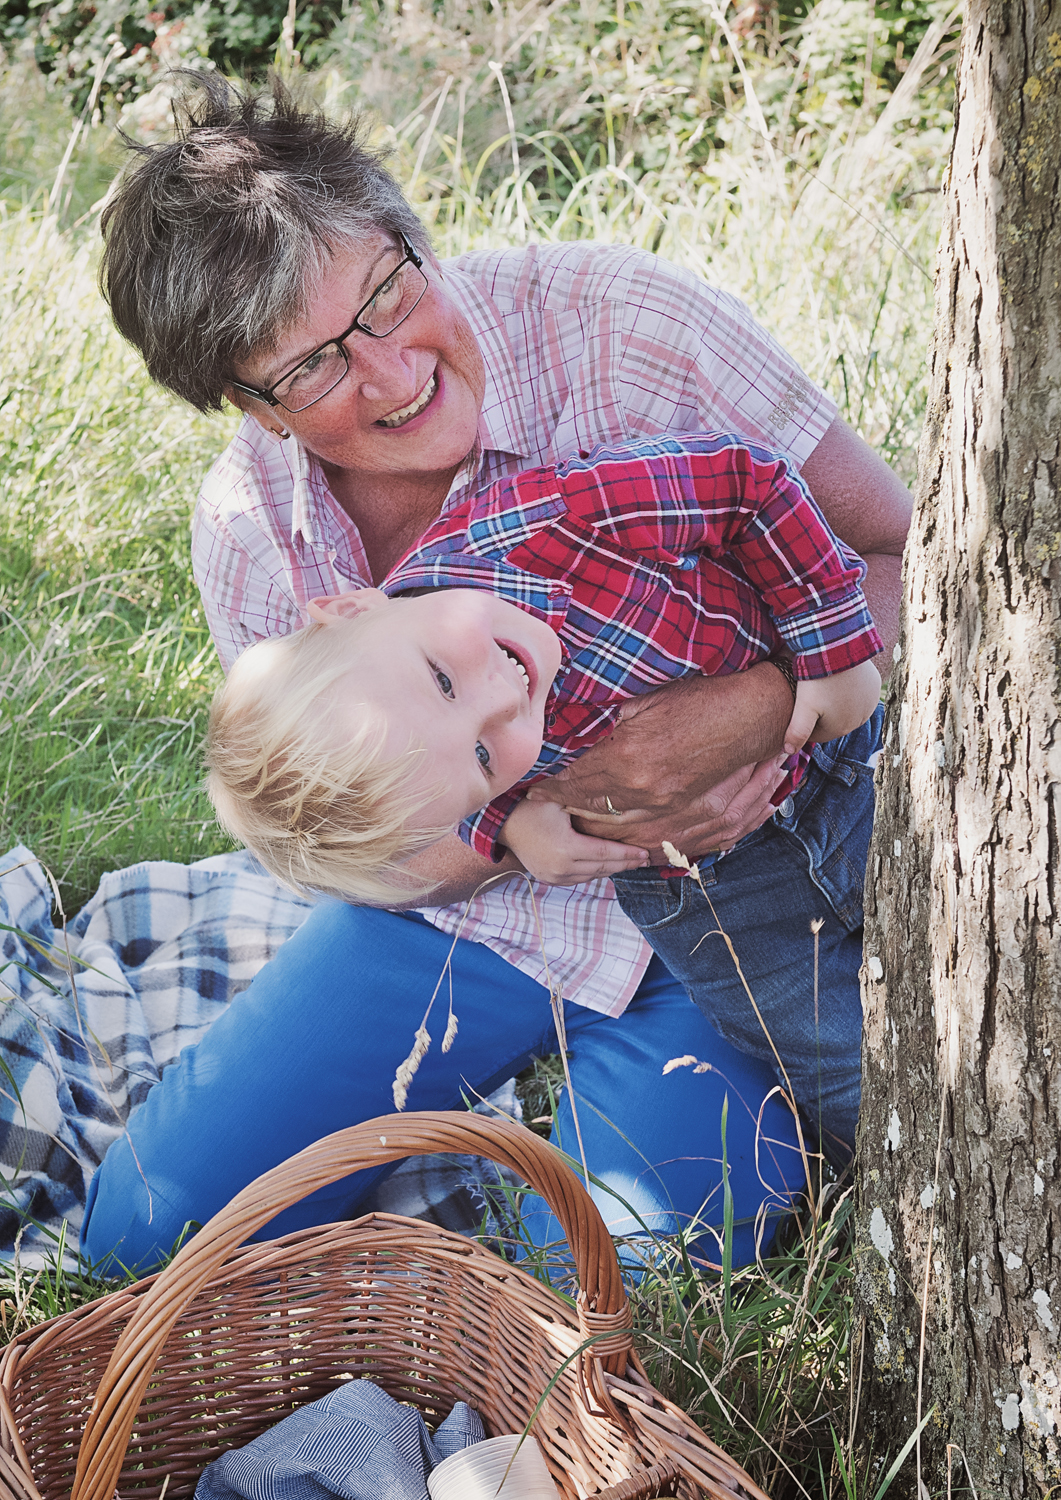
(106, 665)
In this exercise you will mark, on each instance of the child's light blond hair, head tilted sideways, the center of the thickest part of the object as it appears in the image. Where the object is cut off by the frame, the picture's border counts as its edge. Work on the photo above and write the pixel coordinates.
(325, 814)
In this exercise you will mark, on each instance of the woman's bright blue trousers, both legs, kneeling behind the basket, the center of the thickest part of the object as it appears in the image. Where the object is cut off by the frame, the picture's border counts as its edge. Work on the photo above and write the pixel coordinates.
(314, 1043)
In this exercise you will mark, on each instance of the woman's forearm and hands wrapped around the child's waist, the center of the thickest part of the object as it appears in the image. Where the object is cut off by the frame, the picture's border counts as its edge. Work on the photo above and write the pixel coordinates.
(696, 763)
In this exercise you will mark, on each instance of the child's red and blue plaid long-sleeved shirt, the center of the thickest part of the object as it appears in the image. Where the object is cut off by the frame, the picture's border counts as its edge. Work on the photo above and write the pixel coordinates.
(652, 560)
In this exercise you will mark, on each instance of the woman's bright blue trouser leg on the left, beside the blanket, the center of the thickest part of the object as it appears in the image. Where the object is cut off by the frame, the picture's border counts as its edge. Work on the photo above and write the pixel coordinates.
(310, 1048)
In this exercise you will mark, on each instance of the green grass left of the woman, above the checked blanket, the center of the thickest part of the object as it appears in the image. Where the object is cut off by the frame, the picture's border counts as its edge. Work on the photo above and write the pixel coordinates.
(106, 664)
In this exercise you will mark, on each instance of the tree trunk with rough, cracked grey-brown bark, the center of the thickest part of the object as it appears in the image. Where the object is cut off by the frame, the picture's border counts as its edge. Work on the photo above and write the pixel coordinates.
(961, 1127)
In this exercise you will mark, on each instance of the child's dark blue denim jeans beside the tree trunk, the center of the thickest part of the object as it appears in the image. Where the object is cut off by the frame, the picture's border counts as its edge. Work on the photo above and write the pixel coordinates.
(807, 865)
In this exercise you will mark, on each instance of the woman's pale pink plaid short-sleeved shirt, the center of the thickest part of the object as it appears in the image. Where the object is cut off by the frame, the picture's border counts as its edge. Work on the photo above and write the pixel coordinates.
(583, 346)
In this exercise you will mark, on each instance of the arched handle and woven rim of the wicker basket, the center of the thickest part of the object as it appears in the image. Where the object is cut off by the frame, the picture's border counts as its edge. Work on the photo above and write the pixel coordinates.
(215, 1258)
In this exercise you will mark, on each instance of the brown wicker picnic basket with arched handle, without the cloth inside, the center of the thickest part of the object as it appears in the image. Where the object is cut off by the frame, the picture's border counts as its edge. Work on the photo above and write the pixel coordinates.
(157, 1381)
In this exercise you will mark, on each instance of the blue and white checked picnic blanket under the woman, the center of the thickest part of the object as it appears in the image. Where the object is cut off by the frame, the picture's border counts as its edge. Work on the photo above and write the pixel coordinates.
(91, 1018)
